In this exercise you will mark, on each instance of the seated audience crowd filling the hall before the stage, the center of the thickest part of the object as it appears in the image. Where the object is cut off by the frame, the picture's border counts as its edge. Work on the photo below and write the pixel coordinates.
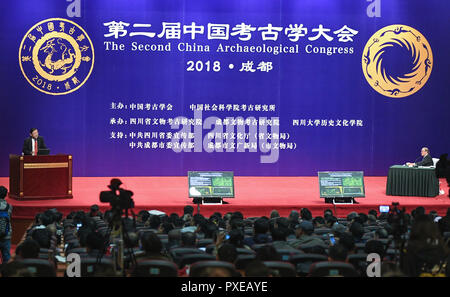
(421, 250)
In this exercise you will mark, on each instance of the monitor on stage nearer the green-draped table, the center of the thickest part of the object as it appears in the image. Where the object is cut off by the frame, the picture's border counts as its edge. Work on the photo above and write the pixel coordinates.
(341, 184)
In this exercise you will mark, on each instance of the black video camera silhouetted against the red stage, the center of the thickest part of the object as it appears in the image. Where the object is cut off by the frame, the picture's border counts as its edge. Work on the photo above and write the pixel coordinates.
(119, 199)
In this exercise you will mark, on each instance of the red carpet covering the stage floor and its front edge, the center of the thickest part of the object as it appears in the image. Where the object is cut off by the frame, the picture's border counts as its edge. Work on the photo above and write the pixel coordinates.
(255, 196)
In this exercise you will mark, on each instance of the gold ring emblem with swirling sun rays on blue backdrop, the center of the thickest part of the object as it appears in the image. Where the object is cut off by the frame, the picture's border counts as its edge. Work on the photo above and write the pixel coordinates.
(397, 61)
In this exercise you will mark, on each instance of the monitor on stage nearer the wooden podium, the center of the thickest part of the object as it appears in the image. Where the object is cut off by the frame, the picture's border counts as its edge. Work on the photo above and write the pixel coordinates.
(211, 184)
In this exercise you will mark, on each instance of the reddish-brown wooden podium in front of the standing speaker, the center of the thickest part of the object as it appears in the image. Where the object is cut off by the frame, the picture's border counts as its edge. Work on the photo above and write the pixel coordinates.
(40, 177)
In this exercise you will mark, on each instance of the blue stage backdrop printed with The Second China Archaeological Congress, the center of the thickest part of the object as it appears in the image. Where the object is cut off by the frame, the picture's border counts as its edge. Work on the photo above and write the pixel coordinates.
(259, 87)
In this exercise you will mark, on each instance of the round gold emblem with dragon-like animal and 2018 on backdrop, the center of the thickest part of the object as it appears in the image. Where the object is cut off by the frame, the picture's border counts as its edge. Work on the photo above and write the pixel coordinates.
(56, 56)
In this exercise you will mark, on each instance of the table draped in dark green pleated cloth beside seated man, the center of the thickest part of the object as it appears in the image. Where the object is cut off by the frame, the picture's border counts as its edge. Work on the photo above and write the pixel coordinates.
(412, 181)
